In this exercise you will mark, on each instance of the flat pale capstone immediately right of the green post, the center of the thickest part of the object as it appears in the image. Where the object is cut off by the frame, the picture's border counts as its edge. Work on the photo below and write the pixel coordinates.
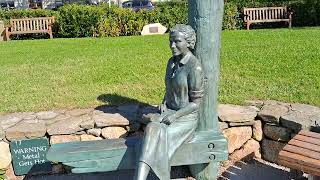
(236, 114)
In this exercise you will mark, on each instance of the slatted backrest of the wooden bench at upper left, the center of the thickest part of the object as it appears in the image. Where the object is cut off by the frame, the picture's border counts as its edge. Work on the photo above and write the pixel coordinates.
(40, 24)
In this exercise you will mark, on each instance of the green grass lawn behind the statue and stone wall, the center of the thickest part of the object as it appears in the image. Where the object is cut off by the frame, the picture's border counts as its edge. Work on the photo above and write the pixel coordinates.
(279, 64)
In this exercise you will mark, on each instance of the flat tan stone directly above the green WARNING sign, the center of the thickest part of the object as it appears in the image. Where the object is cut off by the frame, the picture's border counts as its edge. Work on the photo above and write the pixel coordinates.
(25, 130)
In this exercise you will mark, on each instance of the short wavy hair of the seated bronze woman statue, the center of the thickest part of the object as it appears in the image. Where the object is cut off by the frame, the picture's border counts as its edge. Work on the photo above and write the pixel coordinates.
(188, 32)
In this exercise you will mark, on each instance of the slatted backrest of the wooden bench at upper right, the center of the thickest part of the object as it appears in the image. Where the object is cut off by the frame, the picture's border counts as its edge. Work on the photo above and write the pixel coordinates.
(265, 13)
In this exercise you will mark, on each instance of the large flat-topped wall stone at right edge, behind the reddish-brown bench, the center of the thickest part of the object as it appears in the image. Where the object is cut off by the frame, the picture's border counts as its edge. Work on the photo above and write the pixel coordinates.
(302, 116)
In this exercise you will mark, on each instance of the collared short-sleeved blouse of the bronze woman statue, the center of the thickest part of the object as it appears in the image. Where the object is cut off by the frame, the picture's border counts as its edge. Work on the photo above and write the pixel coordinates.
(184, 81)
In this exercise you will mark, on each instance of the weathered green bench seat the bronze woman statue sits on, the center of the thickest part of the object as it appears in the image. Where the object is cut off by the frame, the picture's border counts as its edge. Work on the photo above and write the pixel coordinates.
(116, 154)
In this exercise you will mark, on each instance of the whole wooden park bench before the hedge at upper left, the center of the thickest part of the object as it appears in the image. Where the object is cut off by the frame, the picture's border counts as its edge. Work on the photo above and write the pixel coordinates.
(30, 25)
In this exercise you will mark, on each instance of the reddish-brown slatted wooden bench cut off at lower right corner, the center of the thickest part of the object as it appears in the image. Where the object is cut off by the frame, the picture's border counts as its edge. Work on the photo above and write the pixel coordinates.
(302, 153)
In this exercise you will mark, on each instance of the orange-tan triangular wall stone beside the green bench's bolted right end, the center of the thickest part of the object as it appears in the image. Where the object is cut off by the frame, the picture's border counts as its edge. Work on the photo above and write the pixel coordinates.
(237, 136)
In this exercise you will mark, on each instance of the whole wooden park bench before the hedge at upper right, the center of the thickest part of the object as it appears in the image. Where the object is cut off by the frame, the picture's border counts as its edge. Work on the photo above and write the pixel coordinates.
(267, 14)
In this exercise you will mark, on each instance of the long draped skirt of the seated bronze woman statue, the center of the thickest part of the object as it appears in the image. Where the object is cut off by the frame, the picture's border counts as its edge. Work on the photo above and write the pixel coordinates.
(161, 141)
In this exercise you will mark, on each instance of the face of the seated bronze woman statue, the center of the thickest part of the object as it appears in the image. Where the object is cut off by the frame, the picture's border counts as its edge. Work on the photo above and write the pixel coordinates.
(178, 44)
